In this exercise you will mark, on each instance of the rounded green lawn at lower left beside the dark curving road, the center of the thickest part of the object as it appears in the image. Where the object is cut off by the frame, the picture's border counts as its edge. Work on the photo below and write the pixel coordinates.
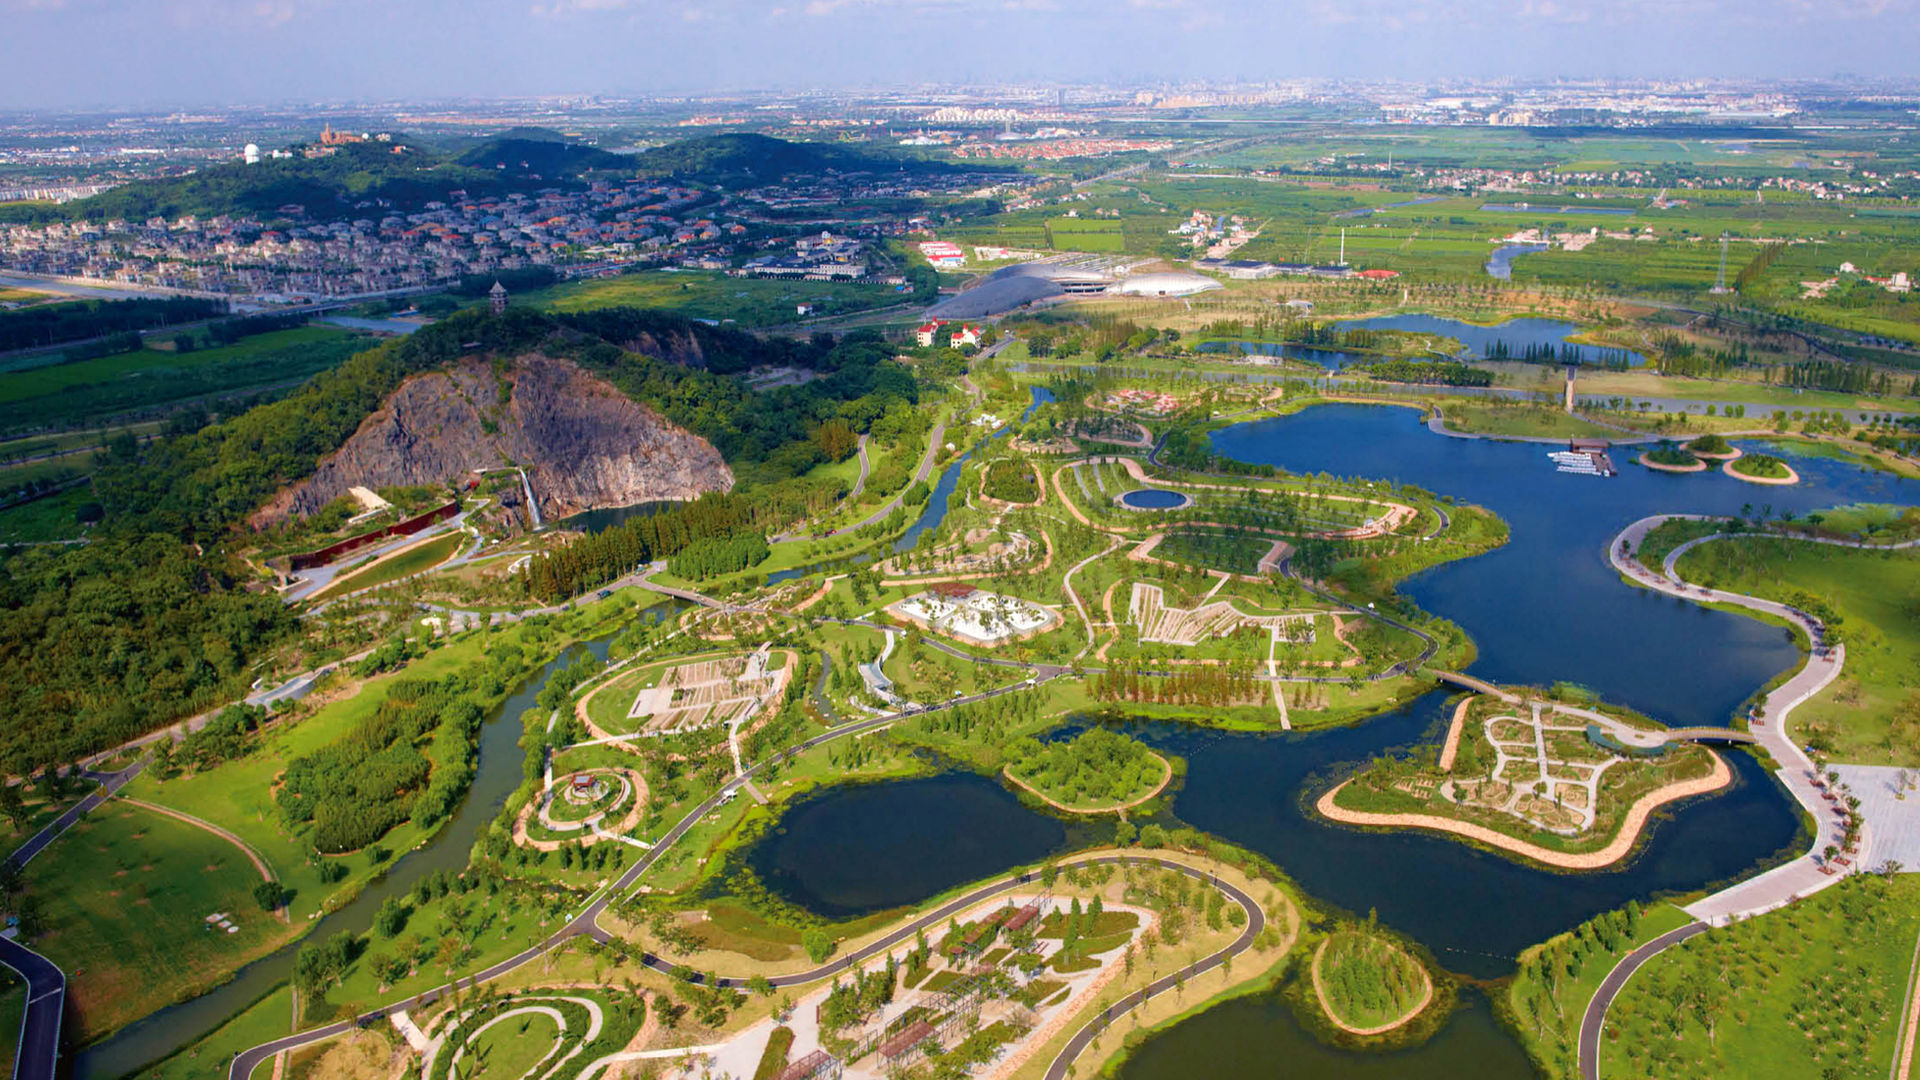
(128, 895)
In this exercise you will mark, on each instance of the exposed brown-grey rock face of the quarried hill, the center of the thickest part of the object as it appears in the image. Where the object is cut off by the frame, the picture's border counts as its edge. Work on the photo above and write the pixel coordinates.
(585, 443)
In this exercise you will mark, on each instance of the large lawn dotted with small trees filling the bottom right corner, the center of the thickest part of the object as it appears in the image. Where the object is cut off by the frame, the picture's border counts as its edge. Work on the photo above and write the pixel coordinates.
(1810, 991)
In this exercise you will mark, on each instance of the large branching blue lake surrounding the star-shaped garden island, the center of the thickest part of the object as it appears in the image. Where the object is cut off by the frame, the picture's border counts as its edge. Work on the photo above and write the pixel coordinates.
(1541, 610)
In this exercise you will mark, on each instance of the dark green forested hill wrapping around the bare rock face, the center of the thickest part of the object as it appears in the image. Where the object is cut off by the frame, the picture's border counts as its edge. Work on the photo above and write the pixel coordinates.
(153, 622)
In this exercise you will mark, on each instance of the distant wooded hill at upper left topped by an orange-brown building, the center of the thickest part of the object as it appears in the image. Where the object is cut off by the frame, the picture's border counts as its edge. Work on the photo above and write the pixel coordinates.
(341, 185)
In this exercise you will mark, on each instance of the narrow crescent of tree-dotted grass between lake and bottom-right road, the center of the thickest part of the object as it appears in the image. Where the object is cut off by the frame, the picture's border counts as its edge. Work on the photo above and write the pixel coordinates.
(1558, 977)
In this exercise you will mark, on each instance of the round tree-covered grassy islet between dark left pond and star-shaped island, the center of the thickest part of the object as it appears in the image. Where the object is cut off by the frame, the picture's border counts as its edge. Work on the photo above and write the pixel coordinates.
(1099, 772)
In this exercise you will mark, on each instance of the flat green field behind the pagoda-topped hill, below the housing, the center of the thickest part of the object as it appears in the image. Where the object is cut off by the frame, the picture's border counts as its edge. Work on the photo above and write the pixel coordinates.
(711, 295)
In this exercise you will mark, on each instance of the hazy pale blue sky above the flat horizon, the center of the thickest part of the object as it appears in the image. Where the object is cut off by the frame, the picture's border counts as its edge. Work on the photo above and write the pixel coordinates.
(197, 53)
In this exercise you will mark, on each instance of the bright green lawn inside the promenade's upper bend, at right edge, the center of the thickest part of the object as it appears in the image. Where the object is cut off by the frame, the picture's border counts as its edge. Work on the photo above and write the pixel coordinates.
(1873, 712)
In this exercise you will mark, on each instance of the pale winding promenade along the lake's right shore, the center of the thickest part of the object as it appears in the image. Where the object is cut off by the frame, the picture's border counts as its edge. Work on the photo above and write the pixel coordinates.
(1787, 883)
